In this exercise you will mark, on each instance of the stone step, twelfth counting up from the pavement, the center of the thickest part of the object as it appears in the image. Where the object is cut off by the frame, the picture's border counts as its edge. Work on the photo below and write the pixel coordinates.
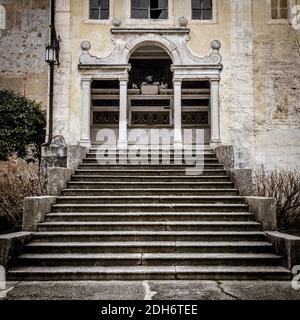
(145, 172)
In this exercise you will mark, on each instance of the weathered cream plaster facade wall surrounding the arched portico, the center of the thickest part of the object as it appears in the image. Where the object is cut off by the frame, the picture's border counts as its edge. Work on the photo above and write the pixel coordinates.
(259, 87)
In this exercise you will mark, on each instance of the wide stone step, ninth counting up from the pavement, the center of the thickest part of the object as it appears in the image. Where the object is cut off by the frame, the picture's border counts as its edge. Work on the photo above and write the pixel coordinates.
(149, 192)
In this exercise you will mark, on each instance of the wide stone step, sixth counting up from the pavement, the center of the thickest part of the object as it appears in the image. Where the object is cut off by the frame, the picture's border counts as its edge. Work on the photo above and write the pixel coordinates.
(150, 216)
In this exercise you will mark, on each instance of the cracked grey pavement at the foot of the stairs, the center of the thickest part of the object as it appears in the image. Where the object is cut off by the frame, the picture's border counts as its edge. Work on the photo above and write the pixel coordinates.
(152, 290)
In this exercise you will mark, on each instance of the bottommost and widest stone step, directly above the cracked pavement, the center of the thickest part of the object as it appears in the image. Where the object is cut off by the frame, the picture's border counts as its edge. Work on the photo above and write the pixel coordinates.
(148, 273)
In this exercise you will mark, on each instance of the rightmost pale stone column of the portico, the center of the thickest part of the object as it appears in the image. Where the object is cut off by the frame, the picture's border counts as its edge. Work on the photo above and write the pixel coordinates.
(215, 113)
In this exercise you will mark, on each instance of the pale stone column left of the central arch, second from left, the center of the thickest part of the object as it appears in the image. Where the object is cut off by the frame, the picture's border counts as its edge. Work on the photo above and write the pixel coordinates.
(122, 143)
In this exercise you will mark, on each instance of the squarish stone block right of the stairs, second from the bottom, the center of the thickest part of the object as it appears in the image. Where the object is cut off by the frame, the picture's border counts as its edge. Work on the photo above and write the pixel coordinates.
(264, 210)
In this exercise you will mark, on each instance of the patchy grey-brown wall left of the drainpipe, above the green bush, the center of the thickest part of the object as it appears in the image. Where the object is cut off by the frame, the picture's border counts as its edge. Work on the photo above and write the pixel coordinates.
(22, 43)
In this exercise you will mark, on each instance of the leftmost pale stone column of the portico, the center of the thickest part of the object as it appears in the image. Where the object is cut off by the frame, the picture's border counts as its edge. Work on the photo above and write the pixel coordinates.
(86, 113)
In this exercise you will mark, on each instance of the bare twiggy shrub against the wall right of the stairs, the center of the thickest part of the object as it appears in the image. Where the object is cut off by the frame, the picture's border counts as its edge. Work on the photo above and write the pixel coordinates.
(284, 186)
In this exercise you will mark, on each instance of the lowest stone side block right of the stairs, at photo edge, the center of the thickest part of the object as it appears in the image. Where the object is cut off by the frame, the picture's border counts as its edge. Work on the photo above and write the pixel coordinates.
(287, 246)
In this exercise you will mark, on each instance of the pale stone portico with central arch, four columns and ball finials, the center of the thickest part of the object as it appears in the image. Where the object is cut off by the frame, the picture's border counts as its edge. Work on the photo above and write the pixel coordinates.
(185, 67)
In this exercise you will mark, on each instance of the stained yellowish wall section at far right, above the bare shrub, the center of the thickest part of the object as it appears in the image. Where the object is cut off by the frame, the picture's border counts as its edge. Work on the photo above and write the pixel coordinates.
(276, 92)
